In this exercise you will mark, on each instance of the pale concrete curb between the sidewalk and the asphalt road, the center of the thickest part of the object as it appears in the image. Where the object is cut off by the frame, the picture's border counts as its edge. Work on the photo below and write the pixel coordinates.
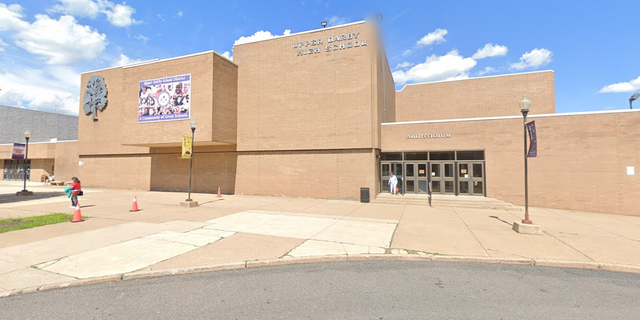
(611, 267)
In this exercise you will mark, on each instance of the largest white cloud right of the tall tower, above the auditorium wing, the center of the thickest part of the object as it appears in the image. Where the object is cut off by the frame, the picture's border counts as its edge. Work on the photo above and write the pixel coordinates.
(451, 66)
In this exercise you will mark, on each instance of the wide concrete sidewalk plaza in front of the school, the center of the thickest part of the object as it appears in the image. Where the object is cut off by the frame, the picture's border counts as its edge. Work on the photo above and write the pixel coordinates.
(246, 231)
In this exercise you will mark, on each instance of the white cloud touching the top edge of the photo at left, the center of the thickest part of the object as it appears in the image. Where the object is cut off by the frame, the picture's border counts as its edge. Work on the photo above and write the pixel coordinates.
(120, 15)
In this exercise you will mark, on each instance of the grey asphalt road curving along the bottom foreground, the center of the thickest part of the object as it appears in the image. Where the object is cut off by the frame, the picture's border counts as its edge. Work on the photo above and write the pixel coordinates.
(347, 290)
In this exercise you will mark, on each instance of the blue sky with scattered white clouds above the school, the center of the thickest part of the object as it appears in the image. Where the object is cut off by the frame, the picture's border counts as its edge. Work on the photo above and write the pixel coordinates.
(593, 47)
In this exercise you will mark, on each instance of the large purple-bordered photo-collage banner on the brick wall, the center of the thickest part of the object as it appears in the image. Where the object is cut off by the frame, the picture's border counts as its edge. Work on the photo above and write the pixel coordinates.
(165, 99)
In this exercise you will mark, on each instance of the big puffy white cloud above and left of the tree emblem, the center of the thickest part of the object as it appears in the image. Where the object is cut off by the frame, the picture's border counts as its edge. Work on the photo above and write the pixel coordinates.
(62, 41)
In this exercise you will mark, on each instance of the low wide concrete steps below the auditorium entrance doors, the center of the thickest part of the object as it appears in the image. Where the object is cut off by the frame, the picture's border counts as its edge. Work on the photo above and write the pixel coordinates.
(442, 201)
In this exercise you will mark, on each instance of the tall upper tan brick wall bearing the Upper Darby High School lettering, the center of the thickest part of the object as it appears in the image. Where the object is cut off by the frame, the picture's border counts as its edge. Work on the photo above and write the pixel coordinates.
(324, 100)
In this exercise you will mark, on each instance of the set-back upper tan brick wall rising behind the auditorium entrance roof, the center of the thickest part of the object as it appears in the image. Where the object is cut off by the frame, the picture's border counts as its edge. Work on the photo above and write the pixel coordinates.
(476, 98)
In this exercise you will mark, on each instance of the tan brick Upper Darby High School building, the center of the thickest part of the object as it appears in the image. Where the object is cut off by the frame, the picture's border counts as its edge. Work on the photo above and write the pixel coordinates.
(315, 114)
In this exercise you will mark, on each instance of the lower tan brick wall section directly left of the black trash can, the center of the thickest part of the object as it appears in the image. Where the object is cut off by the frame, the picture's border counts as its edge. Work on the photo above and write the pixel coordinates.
(314, 174)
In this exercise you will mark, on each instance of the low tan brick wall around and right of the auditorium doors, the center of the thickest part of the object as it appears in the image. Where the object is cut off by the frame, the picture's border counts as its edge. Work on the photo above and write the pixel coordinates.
(581, 163)
